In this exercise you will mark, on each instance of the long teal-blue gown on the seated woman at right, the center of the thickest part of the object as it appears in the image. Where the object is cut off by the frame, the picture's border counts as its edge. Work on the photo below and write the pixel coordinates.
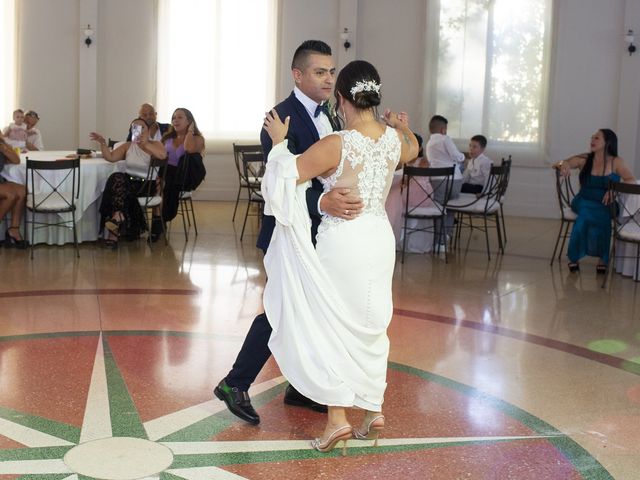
(591, 233)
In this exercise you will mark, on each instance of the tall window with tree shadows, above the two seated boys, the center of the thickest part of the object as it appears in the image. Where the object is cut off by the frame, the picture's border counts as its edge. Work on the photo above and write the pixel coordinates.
(492, 61)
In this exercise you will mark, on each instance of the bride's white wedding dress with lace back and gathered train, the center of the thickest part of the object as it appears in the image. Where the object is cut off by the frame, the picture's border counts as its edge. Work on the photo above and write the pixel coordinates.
(330, 307)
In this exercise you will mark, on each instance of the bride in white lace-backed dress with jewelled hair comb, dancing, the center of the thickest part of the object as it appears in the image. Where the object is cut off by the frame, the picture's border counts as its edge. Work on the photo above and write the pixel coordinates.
(330, 307)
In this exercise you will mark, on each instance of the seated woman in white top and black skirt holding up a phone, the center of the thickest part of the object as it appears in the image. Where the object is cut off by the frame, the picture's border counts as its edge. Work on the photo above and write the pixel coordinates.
(121, 214)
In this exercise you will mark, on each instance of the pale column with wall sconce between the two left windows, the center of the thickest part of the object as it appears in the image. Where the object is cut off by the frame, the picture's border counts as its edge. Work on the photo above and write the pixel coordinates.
(88, 72)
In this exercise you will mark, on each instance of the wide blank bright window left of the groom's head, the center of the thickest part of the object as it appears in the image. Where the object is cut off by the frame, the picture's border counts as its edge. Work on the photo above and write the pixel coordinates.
(217, 58)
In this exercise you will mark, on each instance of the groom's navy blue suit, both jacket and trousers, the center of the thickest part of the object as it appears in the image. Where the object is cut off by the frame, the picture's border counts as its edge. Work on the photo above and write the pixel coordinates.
(301, 135)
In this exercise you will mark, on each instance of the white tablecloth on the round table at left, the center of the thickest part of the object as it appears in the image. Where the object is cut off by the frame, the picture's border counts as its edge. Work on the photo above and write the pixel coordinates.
(94, 173)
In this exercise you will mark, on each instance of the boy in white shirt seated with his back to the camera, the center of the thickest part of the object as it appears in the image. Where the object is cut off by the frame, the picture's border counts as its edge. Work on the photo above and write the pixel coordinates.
(442, 152)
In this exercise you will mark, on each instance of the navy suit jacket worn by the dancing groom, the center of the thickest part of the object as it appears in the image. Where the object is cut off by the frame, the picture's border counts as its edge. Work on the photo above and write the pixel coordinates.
(301, 135)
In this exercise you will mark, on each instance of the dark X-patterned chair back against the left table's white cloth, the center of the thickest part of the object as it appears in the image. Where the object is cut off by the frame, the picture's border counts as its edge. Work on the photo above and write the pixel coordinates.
(53, 185)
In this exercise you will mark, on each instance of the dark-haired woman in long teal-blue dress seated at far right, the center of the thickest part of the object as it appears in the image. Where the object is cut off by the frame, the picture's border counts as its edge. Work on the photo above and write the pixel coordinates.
(591, 233)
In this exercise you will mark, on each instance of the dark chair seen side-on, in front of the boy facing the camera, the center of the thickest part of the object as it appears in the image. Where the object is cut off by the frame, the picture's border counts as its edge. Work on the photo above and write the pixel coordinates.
(485, 205)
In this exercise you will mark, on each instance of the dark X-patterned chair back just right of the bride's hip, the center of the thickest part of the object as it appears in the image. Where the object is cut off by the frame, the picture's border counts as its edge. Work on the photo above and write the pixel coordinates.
(441, 181)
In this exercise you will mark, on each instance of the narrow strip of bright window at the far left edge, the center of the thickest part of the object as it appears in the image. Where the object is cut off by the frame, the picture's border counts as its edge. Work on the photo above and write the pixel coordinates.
(8, 63)
